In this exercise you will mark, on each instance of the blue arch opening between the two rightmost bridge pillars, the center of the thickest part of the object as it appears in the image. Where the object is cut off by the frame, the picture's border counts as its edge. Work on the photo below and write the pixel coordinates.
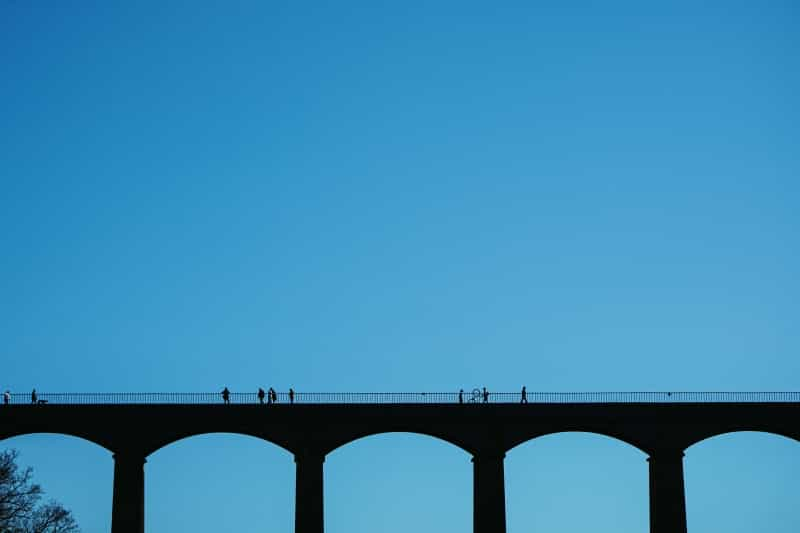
(576, 481)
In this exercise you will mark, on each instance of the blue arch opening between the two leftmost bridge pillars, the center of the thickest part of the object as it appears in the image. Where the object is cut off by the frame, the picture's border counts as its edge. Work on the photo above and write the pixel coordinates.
(219, 482)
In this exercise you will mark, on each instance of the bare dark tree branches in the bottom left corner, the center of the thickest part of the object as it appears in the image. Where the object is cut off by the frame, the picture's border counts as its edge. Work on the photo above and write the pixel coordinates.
(20, 507)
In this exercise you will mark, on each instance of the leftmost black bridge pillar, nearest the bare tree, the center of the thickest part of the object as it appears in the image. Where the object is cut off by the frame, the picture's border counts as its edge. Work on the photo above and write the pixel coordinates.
(127, 515)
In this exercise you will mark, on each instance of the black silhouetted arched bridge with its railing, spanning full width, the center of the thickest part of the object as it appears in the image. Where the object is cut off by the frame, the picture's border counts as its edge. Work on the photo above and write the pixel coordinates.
(660, 424)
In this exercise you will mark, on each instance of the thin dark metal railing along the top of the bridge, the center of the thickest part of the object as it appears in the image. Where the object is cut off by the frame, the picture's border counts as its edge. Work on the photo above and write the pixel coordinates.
(474, 396)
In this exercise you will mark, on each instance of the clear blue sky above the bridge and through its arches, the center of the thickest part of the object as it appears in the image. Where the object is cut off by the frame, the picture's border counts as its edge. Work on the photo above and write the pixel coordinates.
(372, 197)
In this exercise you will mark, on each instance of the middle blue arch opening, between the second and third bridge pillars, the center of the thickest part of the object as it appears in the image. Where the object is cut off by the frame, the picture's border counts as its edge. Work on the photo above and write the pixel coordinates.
(409, 480)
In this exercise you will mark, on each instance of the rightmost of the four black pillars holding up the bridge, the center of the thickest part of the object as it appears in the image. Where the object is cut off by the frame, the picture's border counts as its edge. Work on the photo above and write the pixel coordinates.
(667, 497)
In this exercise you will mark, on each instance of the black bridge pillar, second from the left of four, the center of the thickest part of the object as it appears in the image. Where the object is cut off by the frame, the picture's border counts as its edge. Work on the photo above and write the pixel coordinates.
(308, 507)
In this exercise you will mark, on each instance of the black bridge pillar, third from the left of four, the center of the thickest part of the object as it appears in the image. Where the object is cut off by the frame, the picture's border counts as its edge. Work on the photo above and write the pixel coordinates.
(489, 496)
